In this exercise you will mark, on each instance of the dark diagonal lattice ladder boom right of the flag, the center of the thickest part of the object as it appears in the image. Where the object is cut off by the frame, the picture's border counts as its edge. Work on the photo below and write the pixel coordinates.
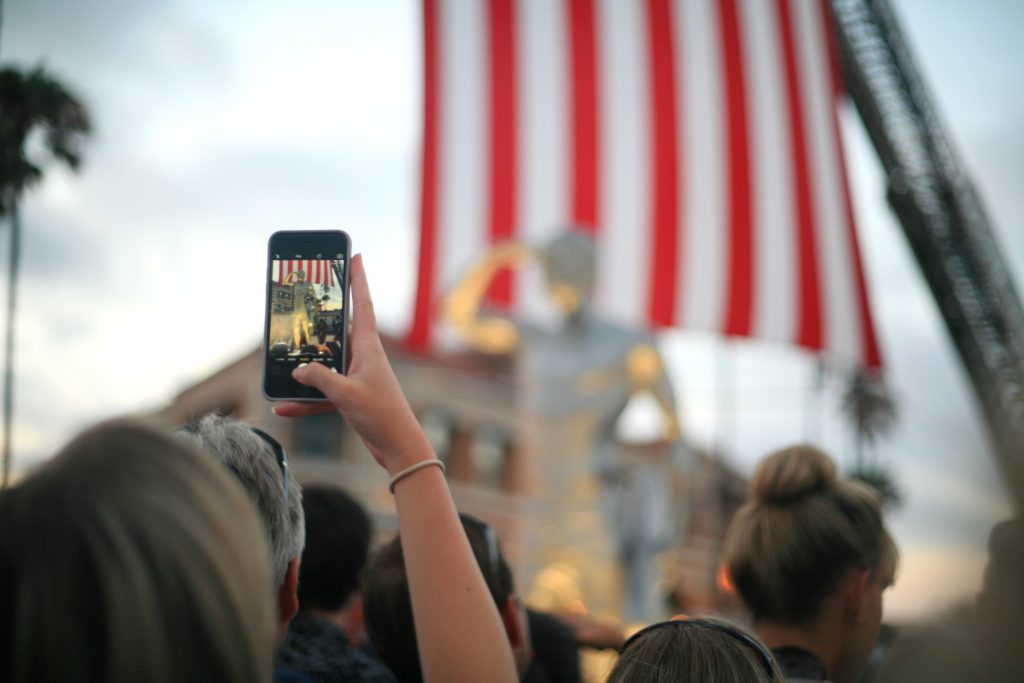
(944, 219)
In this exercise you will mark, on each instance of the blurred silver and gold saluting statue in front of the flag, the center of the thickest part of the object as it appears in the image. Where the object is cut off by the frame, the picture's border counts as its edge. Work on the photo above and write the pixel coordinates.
(579, 377)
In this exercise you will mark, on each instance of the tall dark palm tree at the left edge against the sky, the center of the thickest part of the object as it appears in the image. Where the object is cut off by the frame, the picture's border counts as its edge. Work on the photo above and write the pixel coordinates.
(33, 103)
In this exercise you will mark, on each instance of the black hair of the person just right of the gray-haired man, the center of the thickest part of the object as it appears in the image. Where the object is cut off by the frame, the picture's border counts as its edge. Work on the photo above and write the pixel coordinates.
(338, 533)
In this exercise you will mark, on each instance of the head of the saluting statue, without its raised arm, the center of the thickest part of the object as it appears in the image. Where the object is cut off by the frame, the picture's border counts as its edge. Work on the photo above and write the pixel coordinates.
(569, 263)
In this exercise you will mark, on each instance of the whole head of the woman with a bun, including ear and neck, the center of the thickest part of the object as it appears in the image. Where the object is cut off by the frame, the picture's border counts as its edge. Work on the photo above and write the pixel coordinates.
(807, 540)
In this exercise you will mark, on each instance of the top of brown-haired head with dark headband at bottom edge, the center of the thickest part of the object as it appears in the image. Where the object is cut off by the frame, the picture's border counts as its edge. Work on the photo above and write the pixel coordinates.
(700, 650)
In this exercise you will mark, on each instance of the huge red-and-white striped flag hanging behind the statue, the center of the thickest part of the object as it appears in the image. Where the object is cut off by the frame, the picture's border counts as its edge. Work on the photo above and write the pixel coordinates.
(698, 141)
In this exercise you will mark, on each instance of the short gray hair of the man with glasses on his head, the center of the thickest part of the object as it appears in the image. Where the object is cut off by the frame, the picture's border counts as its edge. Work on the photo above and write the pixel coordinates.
(254, 463)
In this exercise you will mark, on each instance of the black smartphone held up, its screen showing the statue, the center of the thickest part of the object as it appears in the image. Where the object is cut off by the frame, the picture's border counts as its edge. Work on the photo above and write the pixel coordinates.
(307, 309)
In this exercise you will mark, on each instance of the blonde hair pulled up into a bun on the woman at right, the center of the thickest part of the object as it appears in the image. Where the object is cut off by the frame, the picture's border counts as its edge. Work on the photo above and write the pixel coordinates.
(801, 532)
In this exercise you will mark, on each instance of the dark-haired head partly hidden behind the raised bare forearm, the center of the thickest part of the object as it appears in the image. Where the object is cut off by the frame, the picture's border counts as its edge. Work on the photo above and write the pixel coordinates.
(389, 612)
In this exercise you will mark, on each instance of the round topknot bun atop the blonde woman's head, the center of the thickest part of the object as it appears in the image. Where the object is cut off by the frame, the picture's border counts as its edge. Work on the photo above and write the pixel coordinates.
(793, 474)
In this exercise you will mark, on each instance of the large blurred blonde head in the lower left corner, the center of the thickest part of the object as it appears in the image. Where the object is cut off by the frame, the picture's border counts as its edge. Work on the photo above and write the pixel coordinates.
(132, 558)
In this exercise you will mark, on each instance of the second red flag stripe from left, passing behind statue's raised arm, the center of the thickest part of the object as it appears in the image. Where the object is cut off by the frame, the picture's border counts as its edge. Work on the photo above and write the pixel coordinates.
(501, 20)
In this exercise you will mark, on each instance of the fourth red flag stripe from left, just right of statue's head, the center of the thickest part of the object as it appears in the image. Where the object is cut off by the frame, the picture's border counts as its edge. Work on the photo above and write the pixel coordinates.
(664, 148)
